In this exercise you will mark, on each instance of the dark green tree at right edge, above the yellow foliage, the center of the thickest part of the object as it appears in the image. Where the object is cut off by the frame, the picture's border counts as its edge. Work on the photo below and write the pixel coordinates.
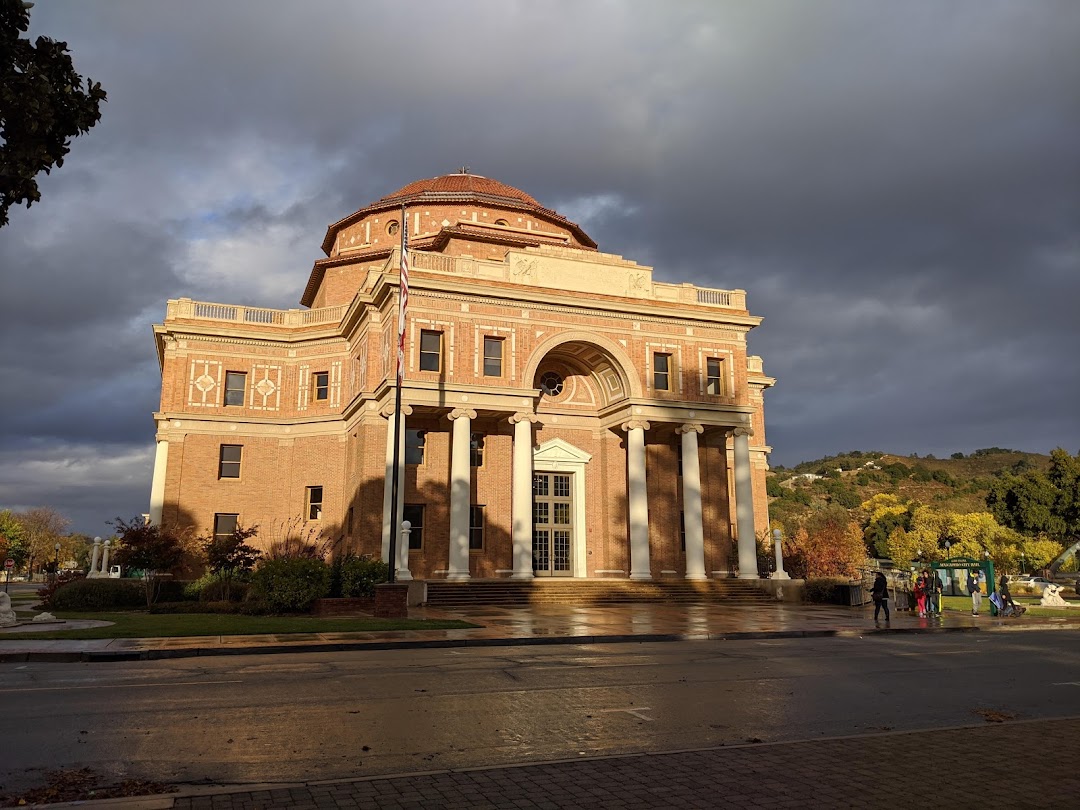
(1042, 504)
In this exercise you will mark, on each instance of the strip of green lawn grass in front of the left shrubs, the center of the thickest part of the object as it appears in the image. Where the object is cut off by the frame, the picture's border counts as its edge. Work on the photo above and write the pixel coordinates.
(134, 625)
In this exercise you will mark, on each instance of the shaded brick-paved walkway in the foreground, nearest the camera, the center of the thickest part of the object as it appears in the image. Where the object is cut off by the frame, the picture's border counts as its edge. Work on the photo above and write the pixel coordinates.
(1015, 765)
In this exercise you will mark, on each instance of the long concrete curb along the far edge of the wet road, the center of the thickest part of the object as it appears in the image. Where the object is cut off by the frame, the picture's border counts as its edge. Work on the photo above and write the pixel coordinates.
(157, 655)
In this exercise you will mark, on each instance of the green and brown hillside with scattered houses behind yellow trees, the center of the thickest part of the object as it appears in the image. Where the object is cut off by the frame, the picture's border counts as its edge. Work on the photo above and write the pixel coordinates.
(957, 484)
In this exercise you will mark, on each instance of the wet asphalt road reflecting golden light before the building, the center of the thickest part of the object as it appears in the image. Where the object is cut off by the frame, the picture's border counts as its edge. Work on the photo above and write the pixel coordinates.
(293, 718)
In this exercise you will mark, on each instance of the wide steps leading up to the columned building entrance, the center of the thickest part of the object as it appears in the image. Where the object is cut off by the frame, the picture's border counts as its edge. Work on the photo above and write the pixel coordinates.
(514, 593)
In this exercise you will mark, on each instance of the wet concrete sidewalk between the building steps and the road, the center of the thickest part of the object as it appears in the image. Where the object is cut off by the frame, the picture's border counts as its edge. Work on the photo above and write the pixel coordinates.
(541, 625)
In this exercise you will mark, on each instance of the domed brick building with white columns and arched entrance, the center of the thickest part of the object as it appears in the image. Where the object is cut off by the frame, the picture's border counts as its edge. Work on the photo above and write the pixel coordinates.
(565, 414)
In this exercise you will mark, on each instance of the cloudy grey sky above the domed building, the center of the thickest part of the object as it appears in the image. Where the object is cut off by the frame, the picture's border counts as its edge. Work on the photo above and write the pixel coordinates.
(896, 185)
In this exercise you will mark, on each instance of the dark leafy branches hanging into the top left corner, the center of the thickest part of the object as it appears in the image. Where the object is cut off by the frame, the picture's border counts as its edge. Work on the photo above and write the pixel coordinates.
(43, 106)
